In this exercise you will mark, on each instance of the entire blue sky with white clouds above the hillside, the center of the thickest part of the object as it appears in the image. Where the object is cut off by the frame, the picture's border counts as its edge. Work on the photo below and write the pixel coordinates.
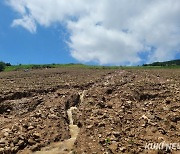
(105, 32)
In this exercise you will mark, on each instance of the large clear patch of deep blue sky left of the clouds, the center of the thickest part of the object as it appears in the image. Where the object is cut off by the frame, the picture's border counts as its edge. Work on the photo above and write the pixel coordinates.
(19, 46)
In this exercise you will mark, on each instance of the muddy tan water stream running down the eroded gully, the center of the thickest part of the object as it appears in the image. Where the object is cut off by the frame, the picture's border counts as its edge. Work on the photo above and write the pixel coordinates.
(65, 147)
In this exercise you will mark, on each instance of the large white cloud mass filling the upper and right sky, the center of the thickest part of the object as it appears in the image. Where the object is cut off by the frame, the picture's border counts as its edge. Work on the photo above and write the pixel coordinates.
(109, 31)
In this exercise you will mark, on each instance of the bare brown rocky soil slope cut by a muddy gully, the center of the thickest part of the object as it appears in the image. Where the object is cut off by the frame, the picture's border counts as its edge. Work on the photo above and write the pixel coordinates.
(89, 111)
